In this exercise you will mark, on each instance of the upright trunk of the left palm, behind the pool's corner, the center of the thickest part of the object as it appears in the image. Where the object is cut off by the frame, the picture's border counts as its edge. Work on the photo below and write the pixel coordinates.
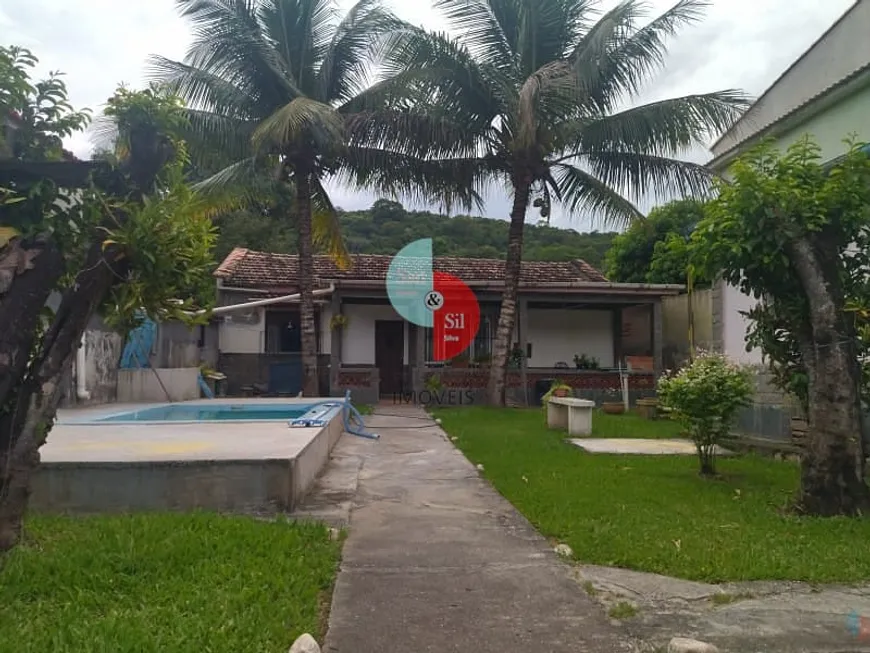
(306, 284)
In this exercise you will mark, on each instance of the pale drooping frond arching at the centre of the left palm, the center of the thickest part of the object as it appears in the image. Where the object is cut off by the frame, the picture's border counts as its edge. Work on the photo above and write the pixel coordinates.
(297, 121)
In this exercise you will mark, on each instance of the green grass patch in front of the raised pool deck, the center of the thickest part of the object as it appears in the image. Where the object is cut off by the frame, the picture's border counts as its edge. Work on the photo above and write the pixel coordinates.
(165, 583)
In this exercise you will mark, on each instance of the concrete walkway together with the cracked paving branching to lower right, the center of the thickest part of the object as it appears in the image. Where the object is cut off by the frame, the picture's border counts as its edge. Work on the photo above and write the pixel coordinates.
(438, 561)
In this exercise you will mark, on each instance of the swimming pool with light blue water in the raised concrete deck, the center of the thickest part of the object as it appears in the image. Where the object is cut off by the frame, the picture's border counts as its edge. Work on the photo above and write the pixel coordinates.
(309, 415)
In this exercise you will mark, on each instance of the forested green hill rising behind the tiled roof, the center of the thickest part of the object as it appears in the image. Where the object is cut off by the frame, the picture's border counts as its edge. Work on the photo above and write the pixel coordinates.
(387, 227)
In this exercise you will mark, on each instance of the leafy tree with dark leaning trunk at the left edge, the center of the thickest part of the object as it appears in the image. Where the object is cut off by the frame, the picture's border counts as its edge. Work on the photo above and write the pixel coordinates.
(119, 239)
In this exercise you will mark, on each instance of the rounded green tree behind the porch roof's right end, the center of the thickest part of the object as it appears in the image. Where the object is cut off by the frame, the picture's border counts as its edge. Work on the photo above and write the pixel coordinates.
(654, 250)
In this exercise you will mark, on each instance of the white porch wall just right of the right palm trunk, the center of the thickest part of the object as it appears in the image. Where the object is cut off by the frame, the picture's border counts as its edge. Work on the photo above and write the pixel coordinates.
(556, 335)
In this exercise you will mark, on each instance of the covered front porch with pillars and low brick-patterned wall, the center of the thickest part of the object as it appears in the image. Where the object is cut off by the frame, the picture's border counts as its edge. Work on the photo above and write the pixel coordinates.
(580, 339)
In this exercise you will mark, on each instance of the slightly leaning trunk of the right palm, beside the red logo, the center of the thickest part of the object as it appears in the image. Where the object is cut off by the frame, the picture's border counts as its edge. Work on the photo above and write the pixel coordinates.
(508, 312)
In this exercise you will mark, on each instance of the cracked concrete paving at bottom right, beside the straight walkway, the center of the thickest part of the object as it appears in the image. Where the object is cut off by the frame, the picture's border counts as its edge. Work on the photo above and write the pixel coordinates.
(749, 617)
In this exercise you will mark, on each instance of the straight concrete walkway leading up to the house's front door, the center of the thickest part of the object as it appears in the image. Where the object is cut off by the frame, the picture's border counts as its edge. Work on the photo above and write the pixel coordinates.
(436, 560)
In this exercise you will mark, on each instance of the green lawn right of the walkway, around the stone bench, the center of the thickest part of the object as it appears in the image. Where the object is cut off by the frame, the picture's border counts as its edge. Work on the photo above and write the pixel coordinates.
(654, 513)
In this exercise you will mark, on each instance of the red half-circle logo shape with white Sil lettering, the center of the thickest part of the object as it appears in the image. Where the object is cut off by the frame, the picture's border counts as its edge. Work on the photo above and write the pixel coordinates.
(456, 316)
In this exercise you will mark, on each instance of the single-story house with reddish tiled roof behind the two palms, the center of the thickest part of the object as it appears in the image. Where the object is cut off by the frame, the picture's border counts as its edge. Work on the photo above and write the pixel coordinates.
(566, 310)
